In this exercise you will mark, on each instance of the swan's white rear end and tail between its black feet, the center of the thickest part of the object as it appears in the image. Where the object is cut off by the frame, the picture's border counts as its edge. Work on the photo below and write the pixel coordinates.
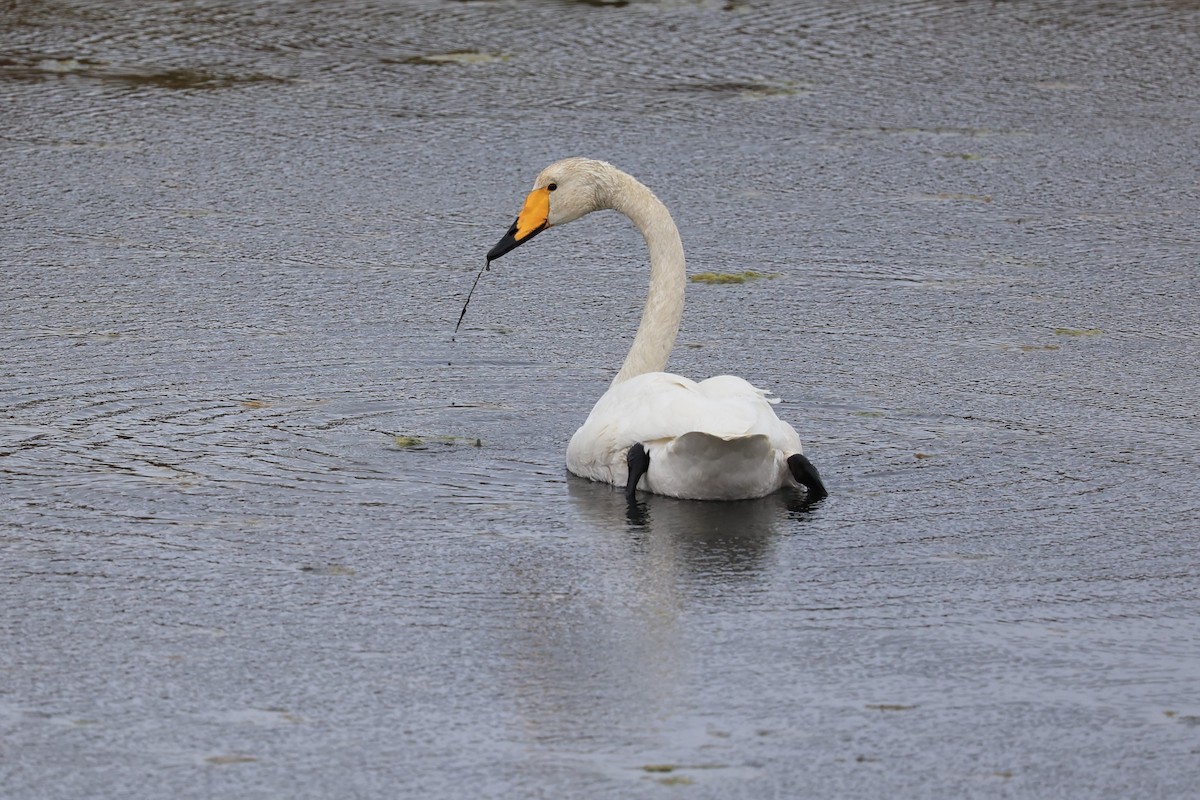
(716, 468)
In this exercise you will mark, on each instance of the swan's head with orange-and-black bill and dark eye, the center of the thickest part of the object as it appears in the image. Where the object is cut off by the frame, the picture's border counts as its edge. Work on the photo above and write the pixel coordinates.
(565, 191)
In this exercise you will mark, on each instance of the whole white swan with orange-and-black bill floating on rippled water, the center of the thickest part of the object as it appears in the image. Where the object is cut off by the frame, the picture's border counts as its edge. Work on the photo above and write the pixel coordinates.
(715, 441)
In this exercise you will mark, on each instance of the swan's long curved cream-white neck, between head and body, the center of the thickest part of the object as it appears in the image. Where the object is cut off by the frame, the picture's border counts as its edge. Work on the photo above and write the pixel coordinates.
(664, 302)
